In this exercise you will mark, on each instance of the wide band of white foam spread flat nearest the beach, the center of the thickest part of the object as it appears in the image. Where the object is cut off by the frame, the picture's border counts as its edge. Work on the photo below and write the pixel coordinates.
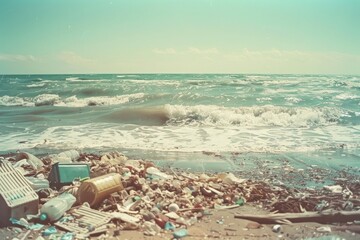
(190, 139)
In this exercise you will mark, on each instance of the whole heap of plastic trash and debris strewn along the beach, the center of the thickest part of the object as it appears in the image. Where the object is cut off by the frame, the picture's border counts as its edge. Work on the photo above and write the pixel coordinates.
(76, 196)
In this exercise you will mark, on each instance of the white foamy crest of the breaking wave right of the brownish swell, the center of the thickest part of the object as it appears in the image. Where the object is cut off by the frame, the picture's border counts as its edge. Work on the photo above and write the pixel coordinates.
(251, 116)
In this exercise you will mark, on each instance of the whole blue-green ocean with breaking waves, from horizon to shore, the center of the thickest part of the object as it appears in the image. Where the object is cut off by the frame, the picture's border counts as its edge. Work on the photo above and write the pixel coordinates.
(218, 121)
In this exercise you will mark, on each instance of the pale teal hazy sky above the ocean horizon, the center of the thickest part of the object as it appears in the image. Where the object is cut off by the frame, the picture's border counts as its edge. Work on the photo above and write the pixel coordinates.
(180, 36)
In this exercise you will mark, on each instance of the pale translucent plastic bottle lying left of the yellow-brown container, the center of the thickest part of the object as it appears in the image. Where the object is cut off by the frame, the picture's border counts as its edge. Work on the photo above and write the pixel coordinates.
(56, 207)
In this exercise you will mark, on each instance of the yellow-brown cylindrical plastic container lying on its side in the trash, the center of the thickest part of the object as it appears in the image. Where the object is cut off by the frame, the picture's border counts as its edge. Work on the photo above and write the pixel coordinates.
(95, 190)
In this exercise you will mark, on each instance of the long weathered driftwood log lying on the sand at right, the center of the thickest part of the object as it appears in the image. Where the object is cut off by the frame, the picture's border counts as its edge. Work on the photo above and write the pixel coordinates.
(329, 216)
